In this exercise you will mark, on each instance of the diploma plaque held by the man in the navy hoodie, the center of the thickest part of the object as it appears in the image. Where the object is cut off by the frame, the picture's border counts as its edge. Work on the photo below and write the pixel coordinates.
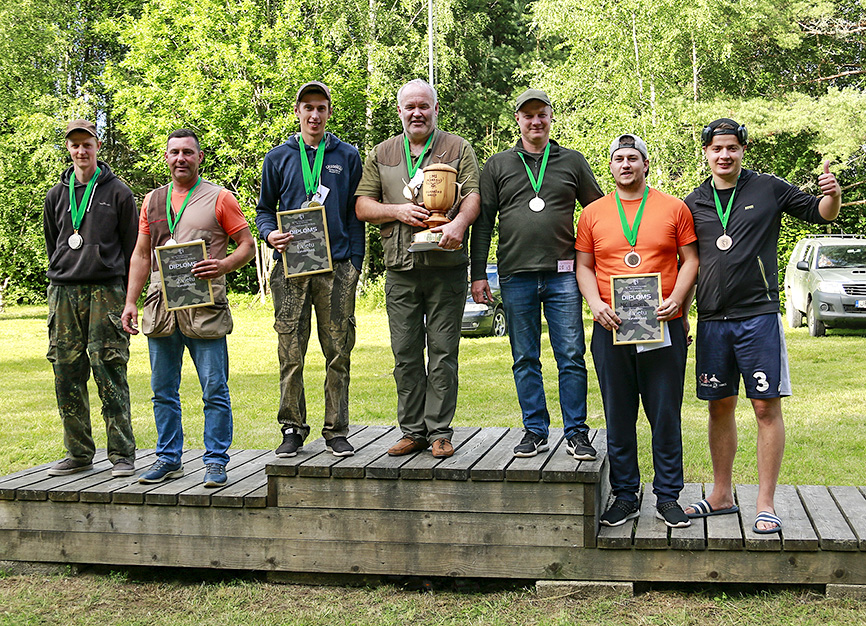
(310, 250)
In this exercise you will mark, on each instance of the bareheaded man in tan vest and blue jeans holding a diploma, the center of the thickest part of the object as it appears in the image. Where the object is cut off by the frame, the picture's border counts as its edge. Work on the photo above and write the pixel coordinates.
(187, 209)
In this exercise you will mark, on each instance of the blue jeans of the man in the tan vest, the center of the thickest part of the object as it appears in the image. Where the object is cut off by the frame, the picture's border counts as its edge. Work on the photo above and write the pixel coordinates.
(211, 360)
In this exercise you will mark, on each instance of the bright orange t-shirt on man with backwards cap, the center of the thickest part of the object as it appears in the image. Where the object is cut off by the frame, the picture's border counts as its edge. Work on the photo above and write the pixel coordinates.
(665, 226)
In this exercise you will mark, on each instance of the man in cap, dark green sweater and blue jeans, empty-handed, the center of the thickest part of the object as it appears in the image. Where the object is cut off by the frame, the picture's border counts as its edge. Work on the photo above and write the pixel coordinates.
(533, 189)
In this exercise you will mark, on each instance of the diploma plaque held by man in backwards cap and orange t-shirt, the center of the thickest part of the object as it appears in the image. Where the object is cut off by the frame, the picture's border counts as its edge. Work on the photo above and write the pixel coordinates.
(635, 299)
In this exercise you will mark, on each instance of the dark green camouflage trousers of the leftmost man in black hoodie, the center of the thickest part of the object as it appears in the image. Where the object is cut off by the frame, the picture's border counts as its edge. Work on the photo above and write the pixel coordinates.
(85, 334)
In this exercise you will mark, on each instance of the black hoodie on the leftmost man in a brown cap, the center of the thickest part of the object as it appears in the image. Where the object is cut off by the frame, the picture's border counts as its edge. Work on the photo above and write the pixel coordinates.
(109, 230)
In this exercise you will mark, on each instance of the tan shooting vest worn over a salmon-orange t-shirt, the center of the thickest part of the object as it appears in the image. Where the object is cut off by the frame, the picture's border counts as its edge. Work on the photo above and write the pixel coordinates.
(197, 222)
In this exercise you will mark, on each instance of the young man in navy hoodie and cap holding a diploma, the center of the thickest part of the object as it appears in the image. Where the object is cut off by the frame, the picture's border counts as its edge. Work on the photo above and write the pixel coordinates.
(314, 166)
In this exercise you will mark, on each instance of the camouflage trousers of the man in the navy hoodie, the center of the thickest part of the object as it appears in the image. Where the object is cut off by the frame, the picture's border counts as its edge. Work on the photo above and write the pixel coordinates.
(333, 296)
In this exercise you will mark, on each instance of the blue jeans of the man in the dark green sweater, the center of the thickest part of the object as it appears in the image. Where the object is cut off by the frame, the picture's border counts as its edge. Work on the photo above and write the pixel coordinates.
(523, 295)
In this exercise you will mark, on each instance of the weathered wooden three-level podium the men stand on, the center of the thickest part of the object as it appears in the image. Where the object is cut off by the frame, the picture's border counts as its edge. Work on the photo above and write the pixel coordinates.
(480, 513)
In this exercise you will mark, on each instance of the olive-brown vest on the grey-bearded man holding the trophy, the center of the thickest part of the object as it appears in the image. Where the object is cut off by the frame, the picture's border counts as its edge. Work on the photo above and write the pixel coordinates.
(393, 171)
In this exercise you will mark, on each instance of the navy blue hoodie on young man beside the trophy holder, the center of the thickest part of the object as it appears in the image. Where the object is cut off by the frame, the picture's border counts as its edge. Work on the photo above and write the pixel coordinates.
(283, 190)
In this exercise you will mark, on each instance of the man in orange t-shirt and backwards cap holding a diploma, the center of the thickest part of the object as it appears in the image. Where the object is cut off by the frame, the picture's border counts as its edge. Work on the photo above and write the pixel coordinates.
(639, 230)
